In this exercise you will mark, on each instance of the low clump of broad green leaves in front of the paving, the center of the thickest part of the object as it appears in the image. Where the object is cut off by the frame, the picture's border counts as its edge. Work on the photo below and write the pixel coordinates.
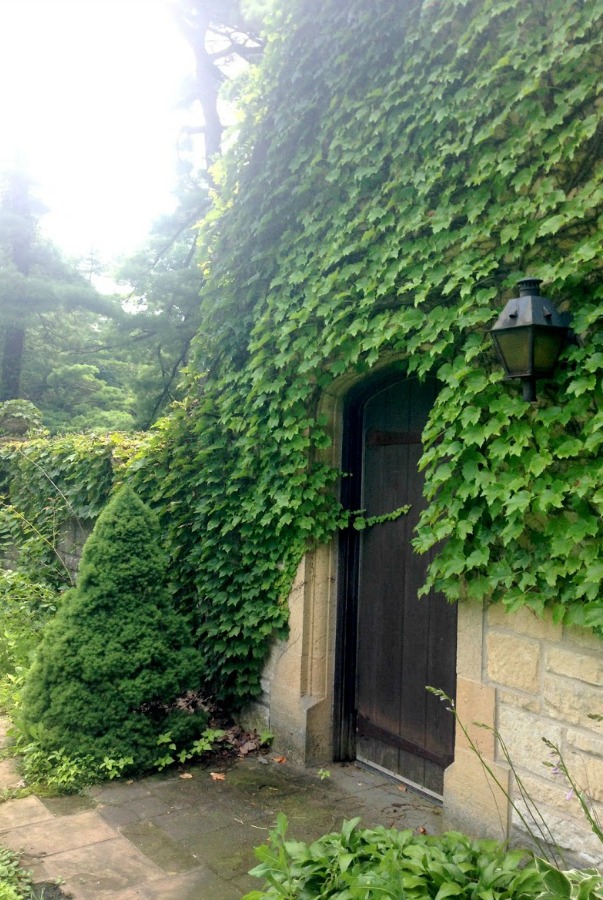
(366, 864)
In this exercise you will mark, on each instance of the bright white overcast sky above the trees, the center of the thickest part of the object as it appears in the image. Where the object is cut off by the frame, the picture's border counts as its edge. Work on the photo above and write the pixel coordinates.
(88, 90)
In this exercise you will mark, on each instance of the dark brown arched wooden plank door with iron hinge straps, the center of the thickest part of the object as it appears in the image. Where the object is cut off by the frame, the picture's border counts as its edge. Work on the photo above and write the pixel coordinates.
(394, 644)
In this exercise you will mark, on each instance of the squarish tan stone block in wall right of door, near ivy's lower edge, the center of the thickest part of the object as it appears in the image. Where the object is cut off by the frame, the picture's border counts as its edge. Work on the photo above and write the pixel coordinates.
(514, 661)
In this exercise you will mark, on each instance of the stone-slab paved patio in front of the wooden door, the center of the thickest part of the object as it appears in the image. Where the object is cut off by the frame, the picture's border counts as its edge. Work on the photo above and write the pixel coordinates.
(172, 838)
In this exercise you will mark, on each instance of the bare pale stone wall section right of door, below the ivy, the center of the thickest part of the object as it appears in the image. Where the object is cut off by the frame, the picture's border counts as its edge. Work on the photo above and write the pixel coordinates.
(530, 679)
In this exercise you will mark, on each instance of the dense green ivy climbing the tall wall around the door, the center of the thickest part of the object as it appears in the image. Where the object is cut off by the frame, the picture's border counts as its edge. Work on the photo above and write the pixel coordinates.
(400, 164)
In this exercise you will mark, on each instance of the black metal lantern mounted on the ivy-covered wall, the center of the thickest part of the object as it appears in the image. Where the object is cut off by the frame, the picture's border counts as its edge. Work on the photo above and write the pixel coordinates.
(529, 335)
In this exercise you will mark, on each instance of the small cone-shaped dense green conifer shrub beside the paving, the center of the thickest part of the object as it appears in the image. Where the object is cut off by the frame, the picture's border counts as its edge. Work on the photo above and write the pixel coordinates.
(117, 657)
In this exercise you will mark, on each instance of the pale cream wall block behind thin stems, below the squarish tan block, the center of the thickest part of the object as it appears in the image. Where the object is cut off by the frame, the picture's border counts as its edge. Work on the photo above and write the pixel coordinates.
(522, 733)
